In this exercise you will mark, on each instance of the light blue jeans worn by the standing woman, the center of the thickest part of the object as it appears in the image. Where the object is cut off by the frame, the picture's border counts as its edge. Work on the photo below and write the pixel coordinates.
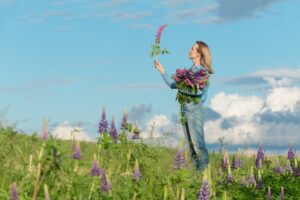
(194, 134)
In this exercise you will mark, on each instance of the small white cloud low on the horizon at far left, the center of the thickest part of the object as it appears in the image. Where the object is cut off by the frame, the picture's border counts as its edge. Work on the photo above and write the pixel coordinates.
(64, 130)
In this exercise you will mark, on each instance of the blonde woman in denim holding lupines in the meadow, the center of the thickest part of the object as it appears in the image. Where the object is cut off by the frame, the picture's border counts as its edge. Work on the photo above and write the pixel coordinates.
(194, 113)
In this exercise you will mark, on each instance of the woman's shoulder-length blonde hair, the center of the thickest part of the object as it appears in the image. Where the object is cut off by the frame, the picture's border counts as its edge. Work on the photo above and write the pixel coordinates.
(205, 59)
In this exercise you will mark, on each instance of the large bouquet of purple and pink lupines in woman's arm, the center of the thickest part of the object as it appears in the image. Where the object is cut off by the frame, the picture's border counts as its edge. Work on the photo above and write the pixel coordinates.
(189, 83)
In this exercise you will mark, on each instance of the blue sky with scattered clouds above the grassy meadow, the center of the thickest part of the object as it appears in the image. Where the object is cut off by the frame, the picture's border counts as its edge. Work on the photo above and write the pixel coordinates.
(67, 59)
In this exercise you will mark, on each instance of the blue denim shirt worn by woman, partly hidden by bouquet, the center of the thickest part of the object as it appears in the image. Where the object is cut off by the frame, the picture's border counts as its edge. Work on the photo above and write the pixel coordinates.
(172, 84)
